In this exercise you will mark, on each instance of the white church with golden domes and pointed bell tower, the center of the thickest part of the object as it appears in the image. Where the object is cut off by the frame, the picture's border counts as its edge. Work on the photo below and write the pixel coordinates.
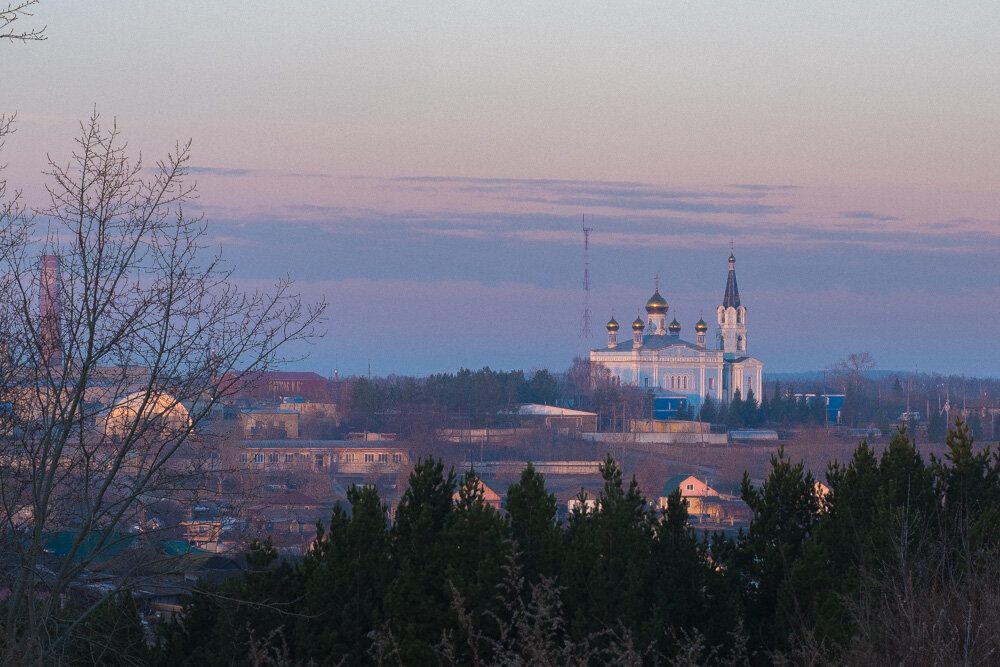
(658, 358)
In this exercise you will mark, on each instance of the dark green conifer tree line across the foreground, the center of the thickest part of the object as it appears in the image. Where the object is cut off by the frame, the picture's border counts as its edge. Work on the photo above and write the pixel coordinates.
(895, 563)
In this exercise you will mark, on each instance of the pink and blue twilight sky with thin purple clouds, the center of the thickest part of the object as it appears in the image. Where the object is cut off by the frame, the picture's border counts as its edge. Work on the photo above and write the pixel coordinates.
(424, 166)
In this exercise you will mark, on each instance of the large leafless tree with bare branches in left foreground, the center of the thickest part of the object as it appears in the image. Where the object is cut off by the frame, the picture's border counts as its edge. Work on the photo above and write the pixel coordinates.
(102, 400)
